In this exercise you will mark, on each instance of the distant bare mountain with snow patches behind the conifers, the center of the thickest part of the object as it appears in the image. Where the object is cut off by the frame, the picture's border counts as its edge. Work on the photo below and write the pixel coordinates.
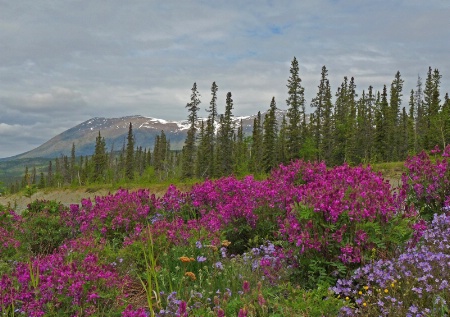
(115, 131)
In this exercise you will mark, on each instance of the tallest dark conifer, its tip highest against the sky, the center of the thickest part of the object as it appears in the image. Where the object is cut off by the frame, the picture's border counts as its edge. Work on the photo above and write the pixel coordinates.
(296, 112)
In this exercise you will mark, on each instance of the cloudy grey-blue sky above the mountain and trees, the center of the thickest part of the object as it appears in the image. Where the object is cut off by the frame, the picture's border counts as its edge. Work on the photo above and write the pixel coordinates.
(63, 62)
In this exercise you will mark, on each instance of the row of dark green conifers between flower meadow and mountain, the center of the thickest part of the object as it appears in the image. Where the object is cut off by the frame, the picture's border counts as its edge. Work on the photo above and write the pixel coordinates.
(349, 128)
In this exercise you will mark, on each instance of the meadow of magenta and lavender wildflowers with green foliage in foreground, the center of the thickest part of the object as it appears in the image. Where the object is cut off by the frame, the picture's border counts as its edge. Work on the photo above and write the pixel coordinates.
(307, 241)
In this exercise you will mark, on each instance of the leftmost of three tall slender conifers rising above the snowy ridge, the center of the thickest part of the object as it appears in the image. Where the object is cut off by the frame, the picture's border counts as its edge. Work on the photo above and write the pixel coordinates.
(188, 164)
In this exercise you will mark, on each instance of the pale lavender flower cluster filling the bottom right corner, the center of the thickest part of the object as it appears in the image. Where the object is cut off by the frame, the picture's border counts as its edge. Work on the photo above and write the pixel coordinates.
(415, 283)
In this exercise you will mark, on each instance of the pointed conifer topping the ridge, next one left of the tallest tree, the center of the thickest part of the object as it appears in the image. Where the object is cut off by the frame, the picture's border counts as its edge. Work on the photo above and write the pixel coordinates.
(269, 137)
